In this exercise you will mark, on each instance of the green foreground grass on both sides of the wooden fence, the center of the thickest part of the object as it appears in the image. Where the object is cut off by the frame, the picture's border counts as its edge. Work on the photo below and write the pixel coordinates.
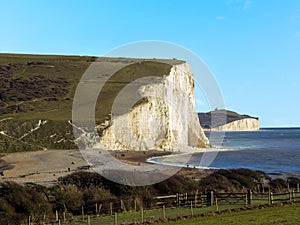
(287, 214)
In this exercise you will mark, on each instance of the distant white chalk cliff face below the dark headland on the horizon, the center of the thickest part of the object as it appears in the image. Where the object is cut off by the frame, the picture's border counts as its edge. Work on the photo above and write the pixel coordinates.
(247, 124)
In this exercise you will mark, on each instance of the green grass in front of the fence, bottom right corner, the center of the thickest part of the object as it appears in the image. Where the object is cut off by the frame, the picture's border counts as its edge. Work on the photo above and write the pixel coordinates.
(289, 214)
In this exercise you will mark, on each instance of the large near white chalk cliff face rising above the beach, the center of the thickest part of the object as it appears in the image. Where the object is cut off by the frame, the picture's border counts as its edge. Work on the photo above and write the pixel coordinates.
(166, 119)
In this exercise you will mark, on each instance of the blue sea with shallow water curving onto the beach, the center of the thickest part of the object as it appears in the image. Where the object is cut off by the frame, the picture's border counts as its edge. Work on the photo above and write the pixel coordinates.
(275, 151)
